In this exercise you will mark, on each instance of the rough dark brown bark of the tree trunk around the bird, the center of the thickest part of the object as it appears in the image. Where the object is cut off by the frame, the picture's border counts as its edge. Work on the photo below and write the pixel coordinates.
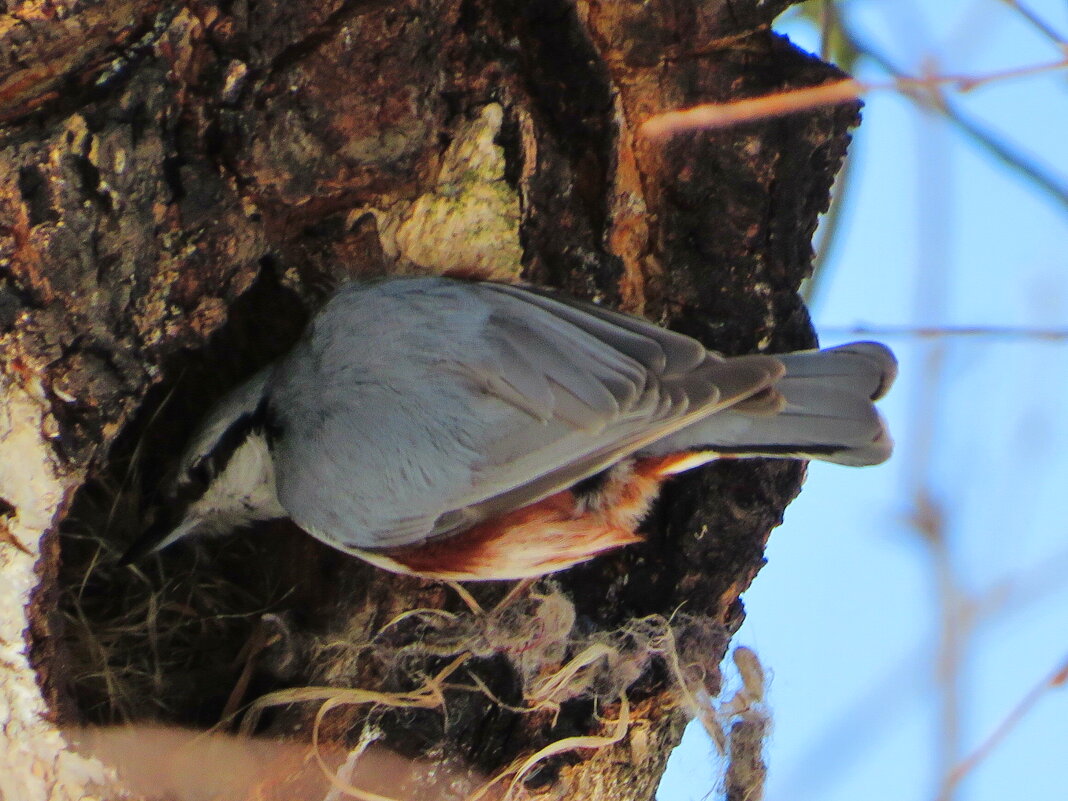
(180, 183)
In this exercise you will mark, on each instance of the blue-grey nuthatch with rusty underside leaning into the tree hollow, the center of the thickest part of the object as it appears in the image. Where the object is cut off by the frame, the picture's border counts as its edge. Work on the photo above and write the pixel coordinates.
(475, 431)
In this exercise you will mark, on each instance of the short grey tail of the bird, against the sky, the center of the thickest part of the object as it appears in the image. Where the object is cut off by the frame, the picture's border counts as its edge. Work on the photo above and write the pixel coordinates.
(821, 410)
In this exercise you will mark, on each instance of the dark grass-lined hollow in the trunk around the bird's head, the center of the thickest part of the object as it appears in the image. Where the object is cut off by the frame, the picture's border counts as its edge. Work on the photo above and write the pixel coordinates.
(169, 638)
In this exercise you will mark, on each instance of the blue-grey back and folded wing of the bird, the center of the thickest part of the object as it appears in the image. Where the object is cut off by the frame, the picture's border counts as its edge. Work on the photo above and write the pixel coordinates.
(475, 400)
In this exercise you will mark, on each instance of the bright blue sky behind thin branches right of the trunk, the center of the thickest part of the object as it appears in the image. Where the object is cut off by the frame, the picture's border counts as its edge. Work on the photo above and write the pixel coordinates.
(846, 616)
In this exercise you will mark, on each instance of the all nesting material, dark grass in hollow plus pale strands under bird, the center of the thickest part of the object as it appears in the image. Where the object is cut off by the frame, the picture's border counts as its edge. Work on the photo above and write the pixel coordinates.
(149, 643)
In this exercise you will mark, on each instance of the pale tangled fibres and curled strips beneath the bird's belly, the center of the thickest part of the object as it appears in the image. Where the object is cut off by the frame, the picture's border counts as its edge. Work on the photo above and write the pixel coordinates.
(537, 634)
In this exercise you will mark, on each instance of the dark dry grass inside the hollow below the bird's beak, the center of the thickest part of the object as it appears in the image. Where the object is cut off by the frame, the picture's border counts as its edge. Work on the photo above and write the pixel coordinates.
(149, 642)
